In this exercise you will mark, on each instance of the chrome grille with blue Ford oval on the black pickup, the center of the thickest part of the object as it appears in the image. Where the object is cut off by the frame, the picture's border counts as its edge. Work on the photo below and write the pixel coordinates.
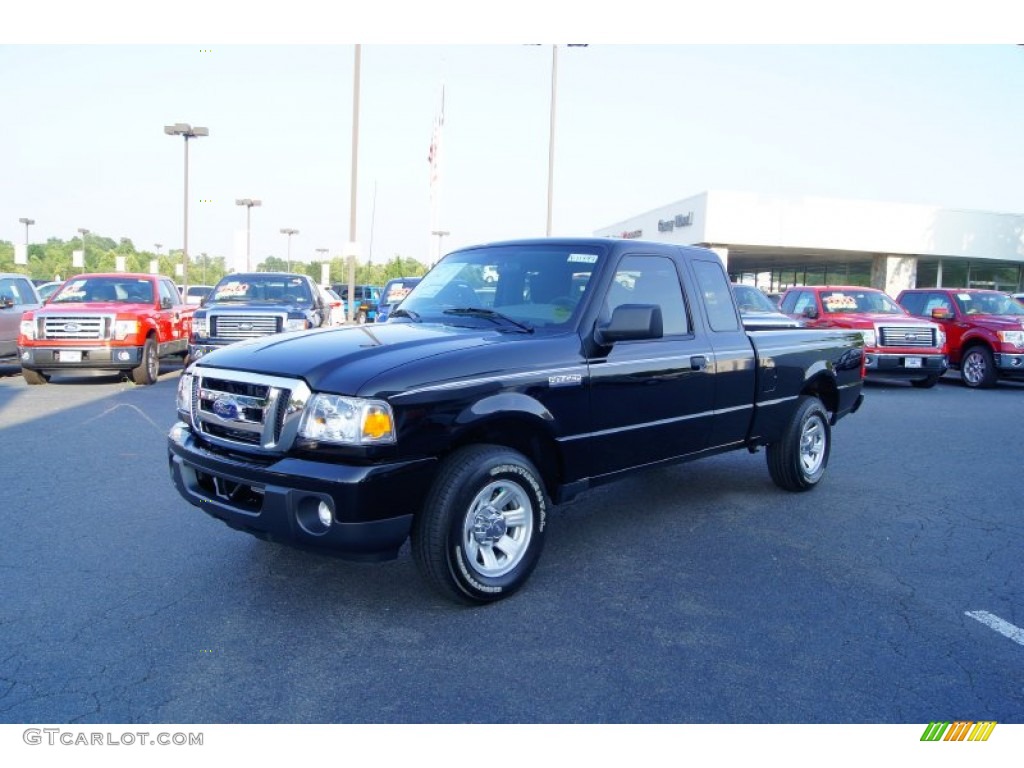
(247, 412)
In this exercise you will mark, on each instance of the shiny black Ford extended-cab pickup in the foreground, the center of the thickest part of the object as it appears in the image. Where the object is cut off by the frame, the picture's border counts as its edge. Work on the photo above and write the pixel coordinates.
(483, 402)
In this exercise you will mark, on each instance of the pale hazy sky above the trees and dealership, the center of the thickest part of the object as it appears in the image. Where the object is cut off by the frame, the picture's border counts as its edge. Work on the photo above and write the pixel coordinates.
(663, 104)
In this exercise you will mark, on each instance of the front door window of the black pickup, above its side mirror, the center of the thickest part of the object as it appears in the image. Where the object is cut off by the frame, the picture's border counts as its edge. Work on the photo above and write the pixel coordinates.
(651, 280)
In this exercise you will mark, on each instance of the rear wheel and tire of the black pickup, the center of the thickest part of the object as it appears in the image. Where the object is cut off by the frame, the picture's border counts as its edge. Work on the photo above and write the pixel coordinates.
(798, 461)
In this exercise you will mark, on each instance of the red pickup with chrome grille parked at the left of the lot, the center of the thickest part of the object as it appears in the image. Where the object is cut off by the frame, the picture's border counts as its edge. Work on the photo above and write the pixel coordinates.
(118, 322)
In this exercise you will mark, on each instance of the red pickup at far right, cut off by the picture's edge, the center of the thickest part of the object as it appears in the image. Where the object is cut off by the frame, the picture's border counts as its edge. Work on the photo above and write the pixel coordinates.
(985, 330)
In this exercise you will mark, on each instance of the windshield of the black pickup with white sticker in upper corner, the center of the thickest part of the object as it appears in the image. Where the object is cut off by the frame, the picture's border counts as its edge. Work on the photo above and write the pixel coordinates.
(517, 287)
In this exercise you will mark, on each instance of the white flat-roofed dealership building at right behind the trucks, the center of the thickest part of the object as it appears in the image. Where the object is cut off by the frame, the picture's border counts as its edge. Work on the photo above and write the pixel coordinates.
(776, 242)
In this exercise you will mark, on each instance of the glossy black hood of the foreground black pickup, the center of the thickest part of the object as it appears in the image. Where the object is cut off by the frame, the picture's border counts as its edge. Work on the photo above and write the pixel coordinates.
(343, 360)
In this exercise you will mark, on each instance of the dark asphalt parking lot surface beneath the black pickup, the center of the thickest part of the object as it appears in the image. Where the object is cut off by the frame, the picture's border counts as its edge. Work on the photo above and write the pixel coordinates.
(696, 594)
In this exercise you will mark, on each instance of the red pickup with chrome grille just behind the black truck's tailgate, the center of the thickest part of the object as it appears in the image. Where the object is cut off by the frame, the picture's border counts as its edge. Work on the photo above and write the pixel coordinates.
(897, 345)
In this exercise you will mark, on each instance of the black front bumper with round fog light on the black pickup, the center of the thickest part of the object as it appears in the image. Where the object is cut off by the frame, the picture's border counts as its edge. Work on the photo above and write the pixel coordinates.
(371, 507)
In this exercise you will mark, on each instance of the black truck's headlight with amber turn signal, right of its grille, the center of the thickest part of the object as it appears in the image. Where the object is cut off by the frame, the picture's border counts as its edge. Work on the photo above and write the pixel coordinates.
(348, 421)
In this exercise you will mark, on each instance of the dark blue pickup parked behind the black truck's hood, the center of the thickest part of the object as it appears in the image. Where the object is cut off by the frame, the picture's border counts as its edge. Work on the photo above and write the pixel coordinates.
(251, 306)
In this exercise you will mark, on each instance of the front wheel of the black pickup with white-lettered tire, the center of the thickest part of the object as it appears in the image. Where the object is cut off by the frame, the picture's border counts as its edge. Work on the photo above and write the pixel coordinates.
(468, 548)
